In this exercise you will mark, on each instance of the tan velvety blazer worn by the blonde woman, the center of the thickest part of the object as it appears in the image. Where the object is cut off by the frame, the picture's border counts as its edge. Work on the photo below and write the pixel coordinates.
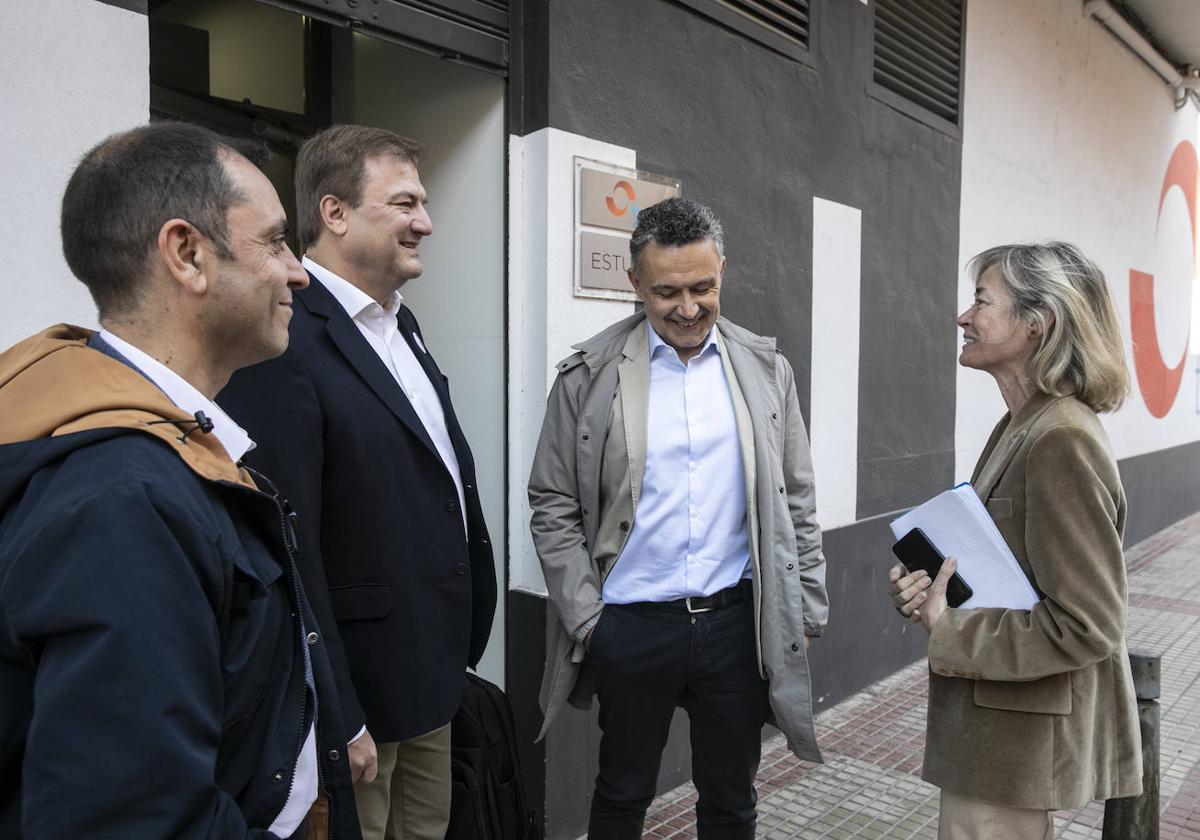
(1037, 710)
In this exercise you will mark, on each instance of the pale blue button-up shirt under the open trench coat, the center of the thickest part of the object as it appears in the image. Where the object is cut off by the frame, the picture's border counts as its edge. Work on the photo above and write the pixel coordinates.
(691, 535)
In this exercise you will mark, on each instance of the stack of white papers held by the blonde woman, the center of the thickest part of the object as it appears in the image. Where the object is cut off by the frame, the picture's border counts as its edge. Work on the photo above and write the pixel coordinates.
(959, 526)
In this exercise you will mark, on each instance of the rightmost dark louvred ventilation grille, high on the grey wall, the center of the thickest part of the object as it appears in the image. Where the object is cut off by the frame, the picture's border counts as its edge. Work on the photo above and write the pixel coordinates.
(919, 53)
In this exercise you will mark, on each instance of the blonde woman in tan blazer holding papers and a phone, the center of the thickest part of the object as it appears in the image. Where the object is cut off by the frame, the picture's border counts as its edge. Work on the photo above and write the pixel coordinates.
(1034, 711)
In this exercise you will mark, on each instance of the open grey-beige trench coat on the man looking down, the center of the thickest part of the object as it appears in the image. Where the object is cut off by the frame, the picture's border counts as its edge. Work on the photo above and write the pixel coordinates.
(584, 494)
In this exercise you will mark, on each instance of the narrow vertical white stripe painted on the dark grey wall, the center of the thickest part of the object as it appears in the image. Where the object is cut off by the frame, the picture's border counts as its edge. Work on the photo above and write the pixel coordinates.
(837, 272)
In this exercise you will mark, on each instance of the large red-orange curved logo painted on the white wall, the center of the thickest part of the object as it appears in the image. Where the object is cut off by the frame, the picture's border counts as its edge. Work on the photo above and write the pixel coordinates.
(1159, 383)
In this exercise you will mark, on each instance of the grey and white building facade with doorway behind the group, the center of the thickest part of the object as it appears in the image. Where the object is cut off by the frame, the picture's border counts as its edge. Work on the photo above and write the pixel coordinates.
(859, 152)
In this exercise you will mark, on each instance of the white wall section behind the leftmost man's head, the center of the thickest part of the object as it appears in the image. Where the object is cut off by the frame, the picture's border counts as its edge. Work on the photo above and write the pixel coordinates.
(74, 73)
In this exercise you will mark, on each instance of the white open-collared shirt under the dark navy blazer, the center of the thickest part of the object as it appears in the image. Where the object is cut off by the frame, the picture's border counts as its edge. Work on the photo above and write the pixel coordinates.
(381, 329)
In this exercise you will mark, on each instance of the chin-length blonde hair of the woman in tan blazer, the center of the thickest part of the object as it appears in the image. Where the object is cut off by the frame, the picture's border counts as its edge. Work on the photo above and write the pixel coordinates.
(1055, 286)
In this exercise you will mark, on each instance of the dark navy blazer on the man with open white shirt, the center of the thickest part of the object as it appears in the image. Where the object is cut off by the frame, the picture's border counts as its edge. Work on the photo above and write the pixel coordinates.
(405, 597)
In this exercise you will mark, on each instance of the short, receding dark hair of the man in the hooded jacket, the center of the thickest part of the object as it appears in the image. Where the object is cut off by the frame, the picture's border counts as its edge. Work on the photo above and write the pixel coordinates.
(128, 187)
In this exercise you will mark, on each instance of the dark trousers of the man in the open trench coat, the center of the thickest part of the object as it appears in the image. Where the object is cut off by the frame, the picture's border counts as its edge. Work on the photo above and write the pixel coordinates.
(650, 659)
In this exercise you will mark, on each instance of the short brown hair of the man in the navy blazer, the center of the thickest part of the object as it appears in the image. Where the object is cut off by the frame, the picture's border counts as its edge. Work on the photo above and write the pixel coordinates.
(333, 163)
